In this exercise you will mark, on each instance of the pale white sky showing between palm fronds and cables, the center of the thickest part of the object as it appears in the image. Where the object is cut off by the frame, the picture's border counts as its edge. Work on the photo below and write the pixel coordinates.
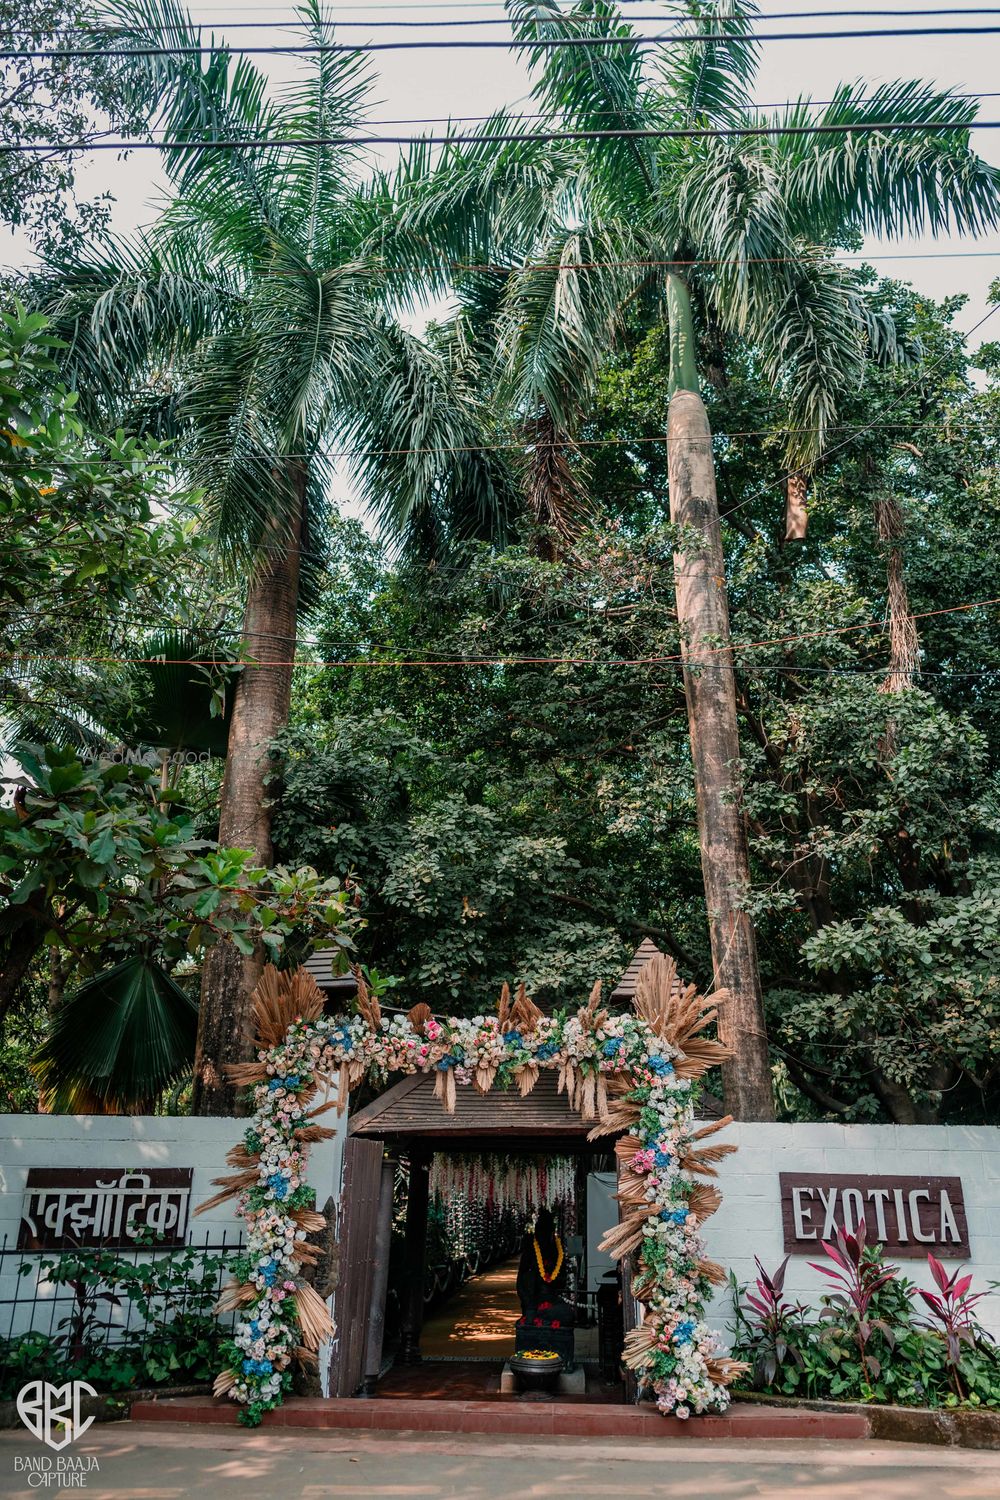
(475, 83)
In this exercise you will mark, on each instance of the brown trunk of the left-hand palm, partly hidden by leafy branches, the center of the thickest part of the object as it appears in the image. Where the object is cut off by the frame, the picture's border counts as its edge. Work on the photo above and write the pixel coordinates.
(260, 710)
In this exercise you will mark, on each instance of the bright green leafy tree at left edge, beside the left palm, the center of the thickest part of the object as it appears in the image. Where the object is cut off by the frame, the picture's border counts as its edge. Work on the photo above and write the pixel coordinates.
(94, 536)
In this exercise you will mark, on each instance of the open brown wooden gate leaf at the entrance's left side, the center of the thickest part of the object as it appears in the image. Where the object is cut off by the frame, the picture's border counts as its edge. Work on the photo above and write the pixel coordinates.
(358, 1220)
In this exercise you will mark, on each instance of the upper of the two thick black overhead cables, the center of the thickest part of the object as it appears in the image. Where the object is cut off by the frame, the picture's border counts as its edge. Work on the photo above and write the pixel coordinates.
(466, 44)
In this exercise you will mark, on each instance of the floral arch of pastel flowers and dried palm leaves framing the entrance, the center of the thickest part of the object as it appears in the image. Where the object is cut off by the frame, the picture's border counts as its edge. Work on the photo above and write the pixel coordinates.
(635, 1076)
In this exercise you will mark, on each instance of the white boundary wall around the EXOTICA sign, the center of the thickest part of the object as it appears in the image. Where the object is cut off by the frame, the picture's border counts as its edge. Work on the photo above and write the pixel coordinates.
(749, 1222)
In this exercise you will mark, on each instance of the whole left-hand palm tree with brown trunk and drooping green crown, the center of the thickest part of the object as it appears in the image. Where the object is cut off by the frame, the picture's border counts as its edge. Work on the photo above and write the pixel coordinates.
(257, 316)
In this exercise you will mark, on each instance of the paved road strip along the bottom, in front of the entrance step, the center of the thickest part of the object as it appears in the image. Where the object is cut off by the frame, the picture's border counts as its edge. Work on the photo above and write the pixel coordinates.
(167, 1463)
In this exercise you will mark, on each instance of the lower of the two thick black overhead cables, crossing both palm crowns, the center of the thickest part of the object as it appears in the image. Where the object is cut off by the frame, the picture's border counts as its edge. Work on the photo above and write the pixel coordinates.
(518, 137)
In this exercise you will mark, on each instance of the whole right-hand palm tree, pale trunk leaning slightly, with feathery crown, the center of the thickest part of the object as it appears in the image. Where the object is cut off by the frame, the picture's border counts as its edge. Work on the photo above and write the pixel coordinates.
(732, 233)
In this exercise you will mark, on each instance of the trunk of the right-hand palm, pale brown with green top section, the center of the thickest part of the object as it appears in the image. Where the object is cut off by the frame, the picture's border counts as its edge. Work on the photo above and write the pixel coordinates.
(699, 571)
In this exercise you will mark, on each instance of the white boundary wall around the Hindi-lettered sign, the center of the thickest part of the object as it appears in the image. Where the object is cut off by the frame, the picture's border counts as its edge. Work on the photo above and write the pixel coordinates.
(136, 1142)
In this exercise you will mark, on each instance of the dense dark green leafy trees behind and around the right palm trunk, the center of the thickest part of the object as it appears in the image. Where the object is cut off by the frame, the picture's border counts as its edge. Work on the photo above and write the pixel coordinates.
(872, 815)
